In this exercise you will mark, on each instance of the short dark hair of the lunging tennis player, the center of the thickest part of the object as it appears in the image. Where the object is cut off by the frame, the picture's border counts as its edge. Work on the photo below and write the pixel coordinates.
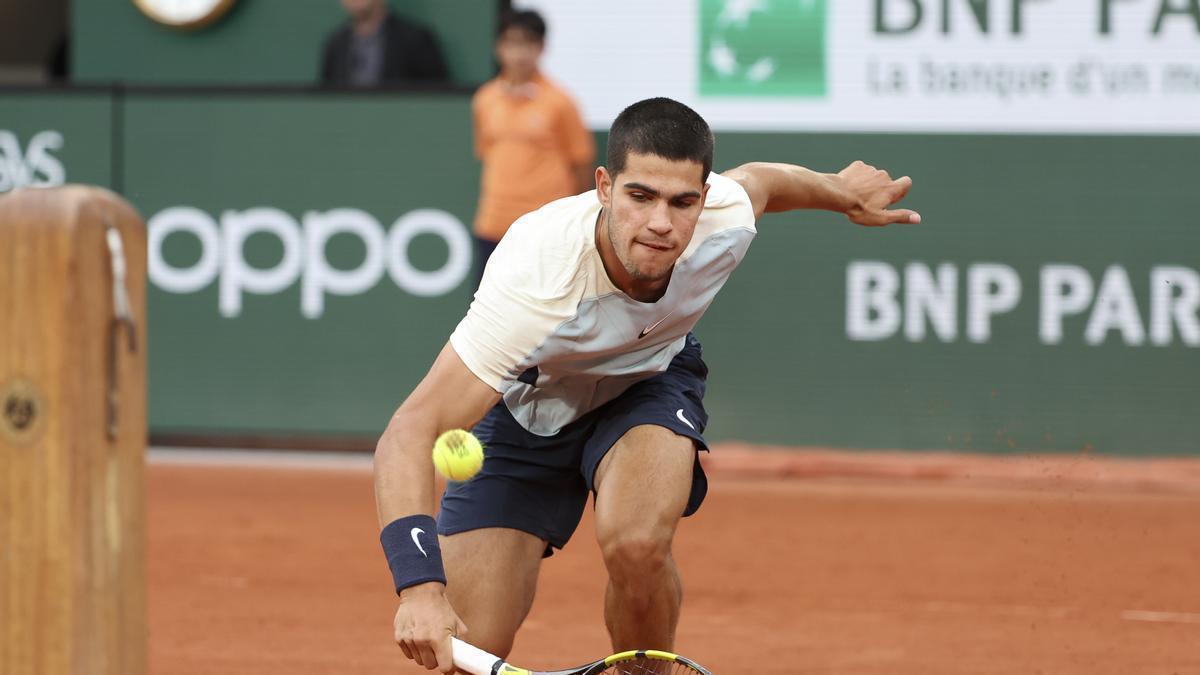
(664, 128)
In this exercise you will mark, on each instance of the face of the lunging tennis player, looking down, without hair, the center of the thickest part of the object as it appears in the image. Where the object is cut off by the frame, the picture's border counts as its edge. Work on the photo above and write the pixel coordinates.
(652, 208)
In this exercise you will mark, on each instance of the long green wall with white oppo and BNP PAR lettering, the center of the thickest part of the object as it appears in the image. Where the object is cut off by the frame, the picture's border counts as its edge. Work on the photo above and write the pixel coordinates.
(829, 334)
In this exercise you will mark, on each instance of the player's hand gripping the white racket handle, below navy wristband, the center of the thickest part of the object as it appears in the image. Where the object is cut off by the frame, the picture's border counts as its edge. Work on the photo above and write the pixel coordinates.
(424, 625)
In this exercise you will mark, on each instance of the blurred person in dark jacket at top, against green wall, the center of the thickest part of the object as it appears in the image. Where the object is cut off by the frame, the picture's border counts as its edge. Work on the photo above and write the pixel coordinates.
(377, 49)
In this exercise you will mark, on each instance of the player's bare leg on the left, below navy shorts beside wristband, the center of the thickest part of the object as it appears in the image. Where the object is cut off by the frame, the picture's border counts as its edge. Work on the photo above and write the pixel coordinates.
(491, 580)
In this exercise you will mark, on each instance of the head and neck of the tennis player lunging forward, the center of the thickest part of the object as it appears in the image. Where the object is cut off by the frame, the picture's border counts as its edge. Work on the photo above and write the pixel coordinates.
(661, 153)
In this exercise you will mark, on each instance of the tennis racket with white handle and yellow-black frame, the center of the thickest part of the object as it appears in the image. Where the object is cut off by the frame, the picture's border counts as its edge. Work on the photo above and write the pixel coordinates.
(647, 662)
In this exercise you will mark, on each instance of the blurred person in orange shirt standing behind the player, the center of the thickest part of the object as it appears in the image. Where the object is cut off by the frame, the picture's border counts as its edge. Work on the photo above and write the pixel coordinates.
(529, 135)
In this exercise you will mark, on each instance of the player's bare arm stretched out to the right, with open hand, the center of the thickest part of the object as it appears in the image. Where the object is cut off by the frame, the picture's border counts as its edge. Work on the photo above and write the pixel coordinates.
(861, 192)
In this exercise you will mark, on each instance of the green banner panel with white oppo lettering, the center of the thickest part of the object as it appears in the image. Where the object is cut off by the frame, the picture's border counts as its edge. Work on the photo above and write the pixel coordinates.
(309, 258)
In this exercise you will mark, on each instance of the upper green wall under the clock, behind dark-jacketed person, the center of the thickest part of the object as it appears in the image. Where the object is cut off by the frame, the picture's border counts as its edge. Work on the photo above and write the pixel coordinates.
(259, 43)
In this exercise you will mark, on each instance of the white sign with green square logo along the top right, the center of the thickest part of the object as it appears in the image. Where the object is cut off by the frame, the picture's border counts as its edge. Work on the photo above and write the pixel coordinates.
(1063, 67)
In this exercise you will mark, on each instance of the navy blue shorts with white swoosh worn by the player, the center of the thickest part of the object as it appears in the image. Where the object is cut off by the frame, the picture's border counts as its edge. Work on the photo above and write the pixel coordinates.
(541, 485)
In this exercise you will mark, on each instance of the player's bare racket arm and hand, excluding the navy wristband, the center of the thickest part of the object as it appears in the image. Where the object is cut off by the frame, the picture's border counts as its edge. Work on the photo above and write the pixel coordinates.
(451, 397)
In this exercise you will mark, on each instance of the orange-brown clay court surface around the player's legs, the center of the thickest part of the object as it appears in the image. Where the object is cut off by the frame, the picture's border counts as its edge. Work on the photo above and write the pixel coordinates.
(272, 571)
